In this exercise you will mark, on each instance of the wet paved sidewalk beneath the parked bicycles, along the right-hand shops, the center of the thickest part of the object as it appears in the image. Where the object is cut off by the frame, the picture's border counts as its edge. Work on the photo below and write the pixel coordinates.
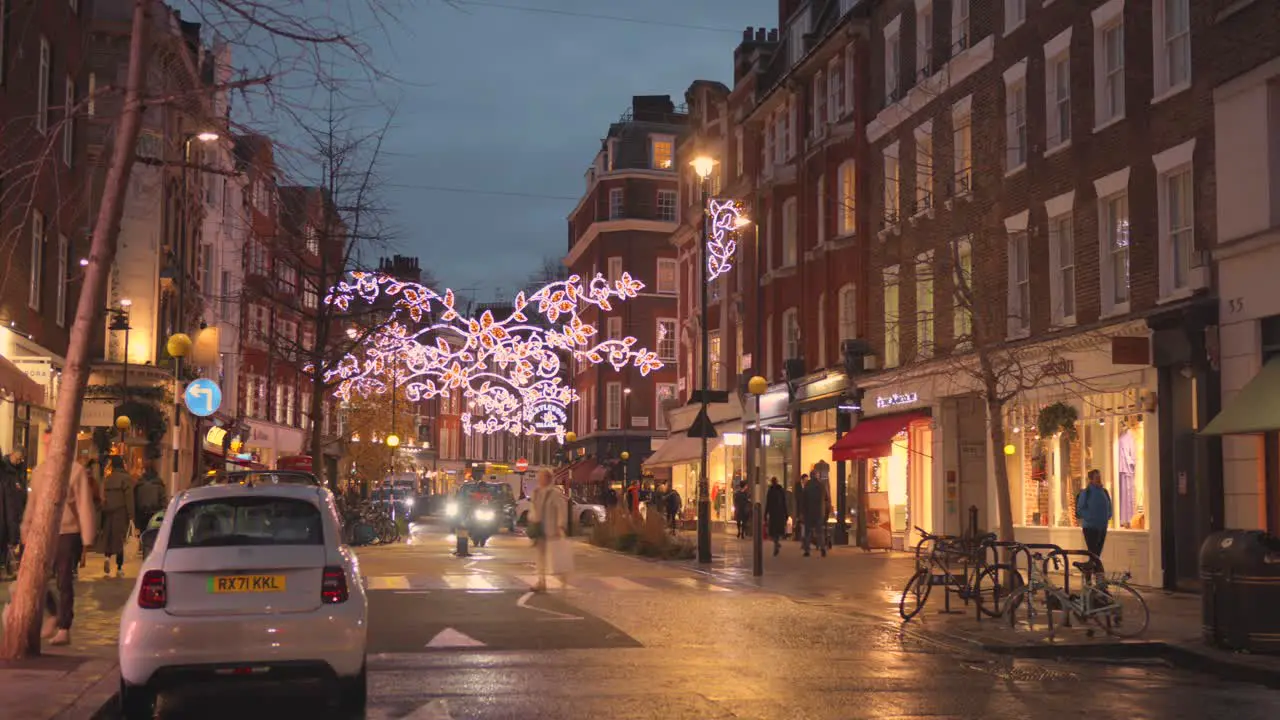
(871, 584)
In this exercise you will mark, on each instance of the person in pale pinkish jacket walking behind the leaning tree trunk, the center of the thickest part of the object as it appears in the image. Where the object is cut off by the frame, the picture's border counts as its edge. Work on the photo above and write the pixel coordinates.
(77, 530)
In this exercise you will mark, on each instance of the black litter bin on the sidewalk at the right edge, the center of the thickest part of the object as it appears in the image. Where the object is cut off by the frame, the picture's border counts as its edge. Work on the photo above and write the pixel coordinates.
(1241, 573)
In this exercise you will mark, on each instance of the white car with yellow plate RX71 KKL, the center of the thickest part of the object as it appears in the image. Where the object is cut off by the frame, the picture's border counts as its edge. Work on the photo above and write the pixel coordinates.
(246, 582)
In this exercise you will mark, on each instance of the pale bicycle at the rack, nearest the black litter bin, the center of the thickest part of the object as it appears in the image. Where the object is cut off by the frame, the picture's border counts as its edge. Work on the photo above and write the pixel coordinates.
(1108, 601)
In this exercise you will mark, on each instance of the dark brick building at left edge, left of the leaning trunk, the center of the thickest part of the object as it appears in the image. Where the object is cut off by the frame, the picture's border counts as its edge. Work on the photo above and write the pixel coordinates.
(44, 216)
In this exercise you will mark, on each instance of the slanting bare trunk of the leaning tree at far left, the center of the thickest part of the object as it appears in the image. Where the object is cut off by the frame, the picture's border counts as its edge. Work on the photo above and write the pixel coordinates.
(22, 623)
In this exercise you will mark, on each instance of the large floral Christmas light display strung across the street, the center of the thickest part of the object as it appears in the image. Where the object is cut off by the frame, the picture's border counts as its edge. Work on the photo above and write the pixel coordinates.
(508, 371)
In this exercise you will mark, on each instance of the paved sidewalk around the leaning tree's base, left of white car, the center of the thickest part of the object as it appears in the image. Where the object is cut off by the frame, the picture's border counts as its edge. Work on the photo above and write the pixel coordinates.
(81, 680)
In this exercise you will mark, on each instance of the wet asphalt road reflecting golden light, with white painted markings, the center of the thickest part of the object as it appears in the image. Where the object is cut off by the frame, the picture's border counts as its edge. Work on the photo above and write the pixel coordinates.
(463, 639)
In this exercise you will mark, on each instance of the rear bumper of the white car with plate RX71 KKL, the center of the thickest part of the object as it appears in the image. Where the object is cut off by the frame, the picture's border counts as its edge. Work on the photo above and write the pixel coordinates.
(156, 646)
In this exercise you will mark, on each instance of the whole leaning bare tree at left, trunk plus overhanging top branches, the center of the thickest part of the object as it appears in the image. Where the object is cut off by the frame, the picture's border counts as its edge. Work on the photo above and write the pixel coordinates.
(282, 39)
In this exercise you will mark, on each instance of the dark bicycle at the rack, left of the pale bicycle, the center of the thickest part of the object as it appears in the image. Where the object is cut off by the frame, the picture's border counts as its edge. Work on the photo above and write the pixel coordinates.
(975, 580)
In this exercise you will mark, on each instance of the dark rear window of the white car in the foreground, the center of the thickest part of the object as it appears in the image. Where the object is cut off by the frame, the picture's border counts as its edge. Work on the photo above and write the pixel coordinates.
(246, 521)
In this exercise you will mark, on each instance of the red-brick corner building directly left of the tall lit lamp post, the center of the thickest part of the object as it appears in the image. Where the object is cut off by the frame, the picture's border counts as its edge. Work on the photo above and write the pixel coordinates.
(623, 225)
